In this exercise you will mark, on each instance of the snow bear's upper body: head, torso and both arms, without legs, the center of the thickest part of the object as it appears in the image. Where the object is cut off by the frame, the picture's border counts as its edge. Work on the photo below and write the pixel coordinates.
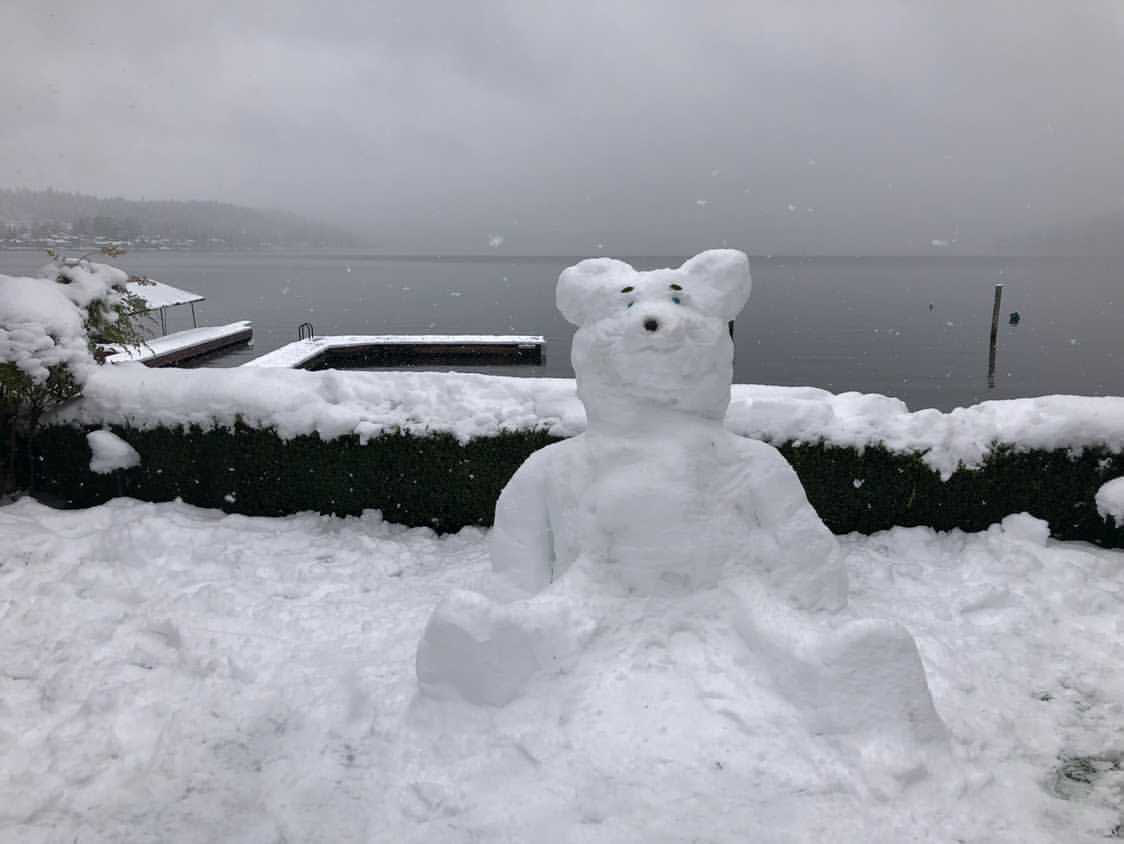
(658, 496)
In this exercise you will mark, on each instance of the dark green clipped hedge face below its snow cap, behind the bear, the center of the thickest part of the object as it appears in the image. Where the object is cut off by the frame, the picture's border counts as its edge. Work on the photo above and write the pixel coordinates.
(438, 483)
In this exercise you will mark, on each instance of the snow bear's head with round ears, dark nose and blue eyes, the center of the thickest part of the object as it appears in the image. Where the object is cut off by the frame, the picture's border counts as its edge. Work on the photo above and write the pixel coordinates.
(658, 339)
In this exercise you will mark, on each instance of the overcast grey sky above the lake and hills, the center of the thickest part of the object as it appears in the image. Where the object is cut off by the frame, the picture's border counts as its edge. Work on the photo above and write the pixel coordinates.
(583, 128)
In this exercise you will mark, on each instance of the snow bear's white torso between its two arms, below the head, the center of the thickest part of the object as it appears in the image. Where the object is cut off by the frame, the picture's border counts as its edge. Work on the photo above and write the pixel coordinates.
(654, 515)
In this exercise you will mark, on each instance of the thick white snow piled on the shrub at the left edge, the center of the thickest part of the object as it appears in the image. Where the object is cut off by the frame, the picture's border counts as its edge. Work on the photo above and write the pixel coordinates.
(42, 321)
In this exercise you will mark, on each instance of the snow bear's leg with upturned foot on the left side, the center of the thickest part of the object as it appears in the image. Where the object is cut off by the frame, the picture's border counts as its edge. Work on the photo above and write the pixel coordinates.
(486, 652)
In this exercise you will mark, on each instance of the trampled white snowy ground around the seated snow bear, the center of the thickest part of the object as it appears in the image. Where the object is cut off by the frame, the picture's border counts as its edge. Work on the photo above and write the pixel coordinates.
(176, 675)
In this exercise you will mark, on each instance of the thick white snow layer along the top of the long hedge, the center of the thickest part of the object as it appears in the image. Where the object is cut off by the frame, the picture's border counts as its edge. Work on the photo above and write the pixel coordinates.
(336, 404)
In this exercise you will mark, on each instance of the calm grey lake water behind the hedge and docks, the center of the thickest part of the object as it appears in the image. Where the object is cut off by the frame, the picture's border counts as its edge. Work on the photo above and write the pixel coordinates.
(912, 328)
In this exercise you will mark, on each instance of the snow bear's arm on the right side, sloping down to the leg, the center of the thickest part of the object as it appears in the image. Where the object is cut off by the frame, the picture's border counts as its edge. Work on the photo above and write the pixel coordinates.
(801, 556)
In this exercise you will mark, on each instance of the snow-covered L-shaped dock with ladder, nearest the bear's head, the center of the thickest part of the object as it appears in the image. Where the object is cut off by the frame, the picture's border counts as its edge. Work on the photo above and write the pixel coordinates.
(405, 349)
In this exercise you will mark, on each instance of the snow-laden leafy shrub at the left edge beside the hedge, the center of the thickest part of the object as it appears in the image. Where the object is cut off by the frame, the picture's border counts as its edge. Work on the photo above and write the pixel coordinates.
(50, 328)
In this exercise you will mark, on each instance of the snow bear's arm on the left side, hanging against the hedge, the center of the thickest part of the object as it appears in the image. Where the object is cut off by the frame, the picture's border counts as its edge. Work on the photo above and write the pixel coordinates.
(522, 542)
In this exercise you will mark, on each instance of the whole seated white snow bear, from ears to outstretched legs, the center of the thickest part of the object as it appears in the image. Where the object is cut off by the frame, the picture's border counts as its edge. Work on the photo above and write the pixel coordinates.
(658, 501)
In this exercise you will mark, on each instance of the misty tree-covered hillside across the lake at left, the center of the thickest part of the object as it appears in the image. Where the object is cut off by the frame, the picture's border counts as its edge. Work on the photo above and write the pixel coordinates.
(31, 217)
